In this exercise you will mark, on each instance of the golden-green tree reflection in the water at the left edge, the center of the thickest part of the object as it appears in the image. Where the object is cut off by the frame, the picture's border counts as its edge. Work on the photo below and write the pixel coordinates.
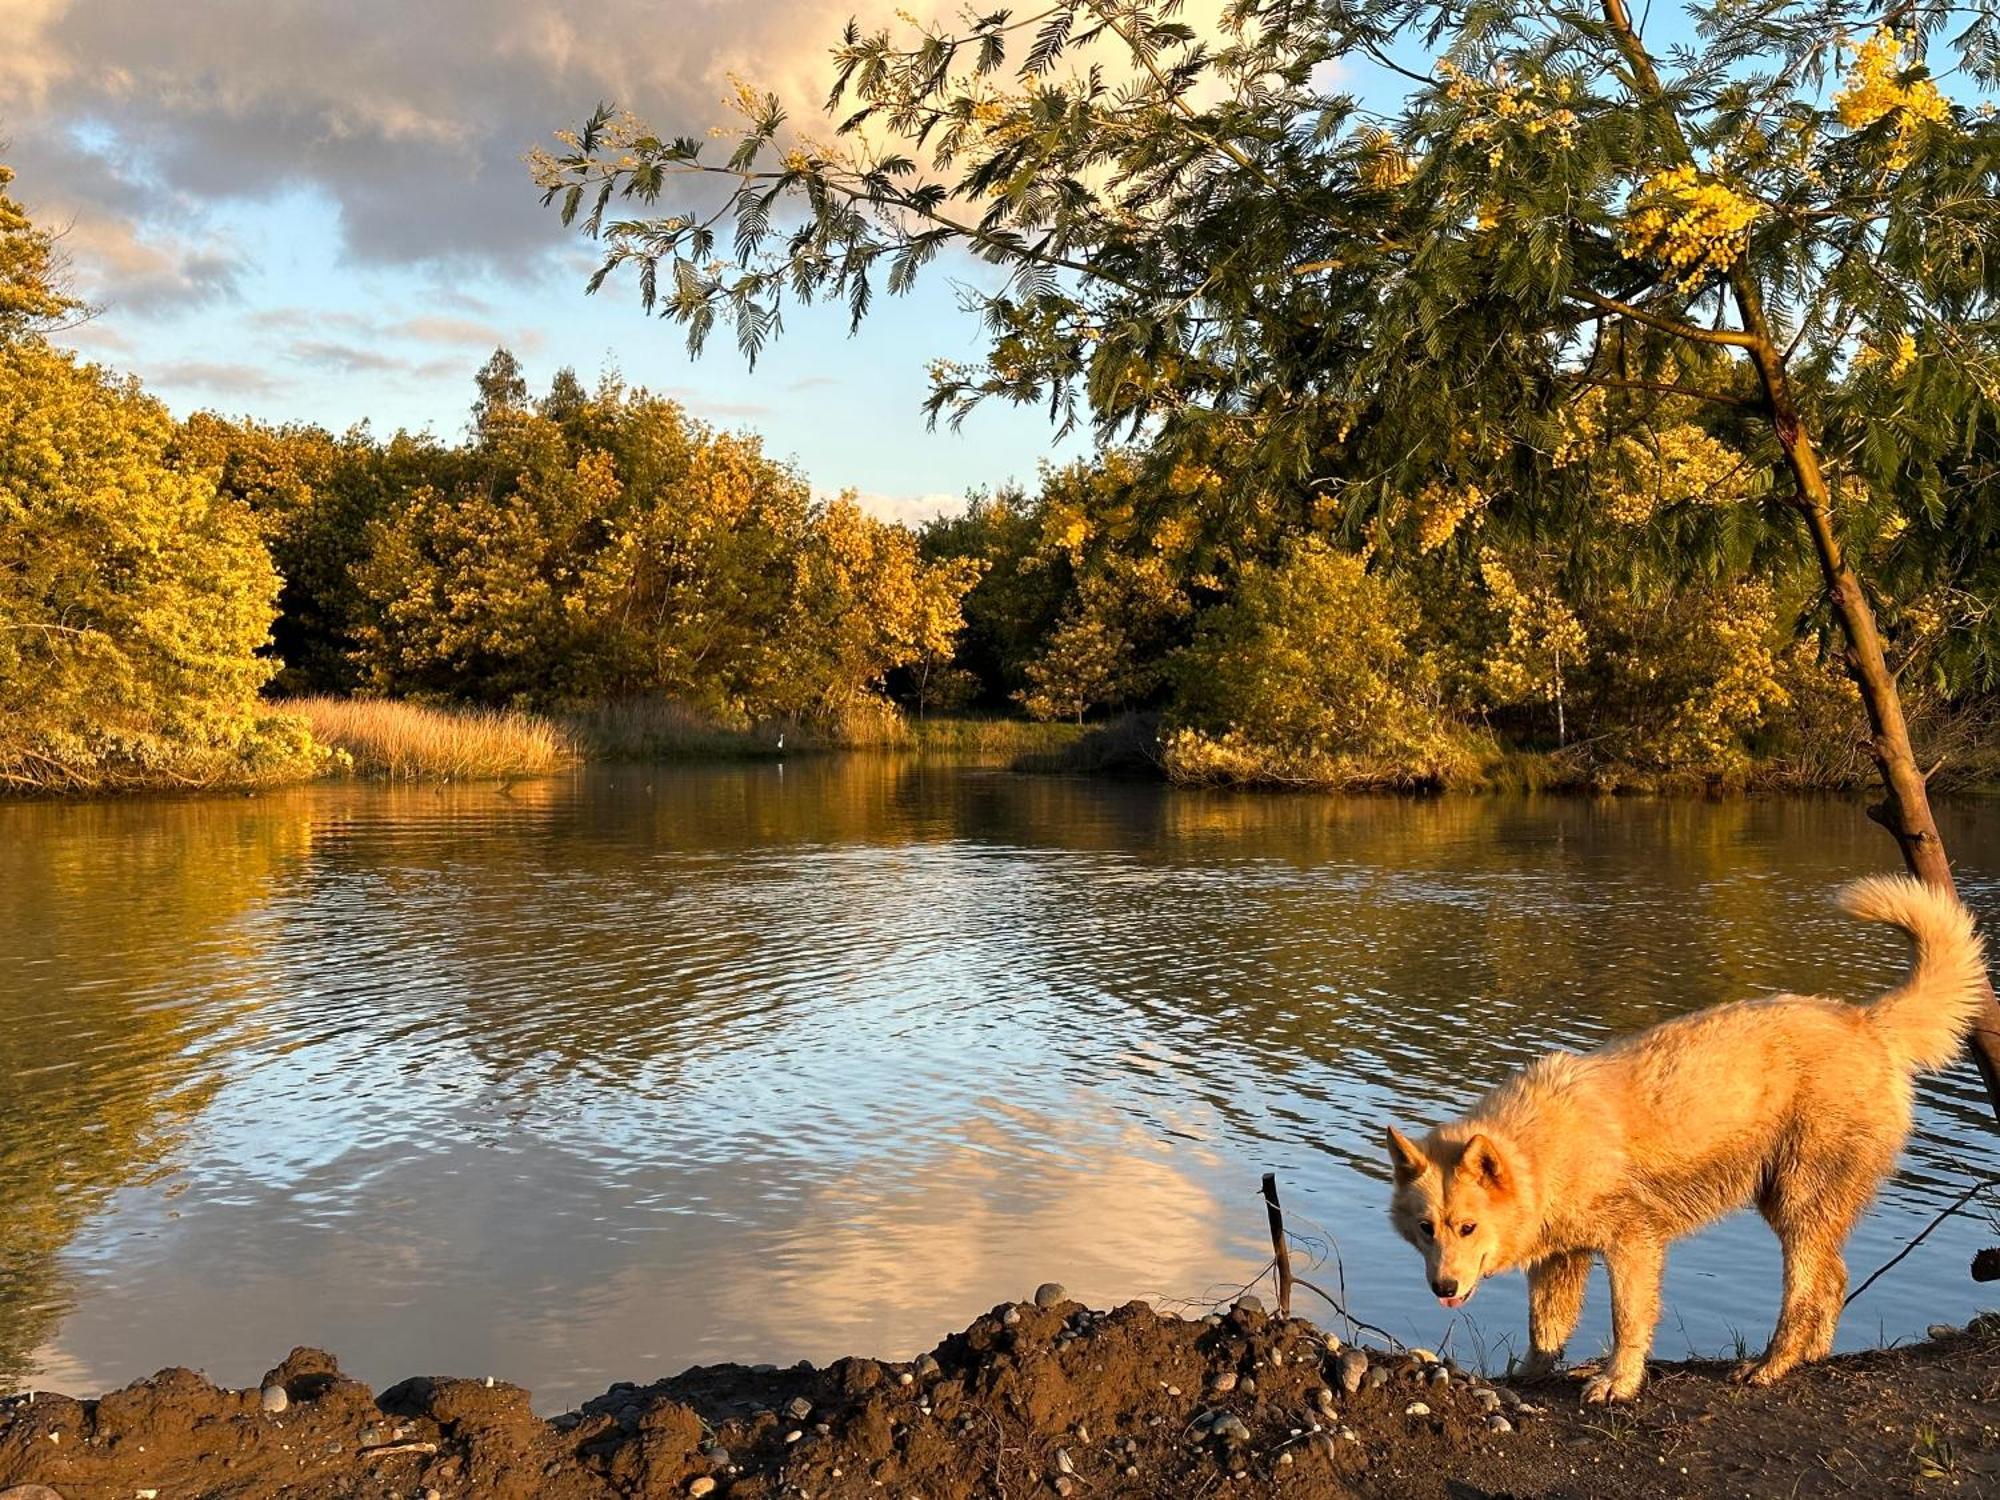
(123, 939)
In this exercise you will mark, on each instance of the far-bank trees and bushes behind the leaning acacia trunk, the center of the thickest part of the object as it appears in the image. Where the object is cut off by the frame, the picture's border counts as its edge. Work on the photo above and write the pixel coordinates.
(1663, 633)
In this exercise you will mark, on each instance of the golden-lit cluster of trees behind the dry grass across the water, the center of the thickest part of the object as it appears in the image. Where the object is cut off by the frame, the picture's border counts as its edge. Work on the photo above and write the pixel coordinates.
(575, 549)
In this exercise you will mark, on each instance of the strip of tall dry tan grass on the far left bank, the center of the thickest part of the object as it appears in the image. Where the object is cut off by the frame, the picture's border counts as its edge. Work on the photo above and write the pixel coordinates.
(413, 743)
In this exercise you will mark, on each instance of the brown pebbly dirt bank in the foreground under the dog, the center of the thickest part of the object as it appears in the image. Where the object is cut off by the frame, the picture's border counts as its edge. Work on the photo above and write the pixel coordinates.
(1037, 1401)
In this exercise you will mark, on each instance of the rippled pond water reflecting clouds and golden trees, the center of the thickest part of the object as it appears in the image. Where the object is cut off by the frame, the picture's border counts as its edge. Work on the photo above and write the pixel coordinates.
(605, 1077)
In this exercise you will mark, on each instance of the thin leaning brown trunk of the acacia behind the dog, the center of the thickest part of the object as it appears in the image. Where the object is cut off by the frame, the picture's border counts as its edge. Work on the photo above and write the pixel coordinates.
(1905, 809)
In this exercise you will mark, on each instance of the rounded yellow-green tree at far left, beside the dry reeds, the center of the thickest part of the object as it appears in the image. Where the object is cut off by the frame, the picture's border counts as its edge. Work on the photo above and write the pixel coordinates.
(133, 597)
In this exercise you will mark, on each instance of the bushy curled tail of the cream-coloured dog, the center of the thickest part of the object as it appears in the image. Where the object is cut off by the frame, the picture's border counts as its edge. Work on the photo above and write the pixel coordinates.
(1927, 1017)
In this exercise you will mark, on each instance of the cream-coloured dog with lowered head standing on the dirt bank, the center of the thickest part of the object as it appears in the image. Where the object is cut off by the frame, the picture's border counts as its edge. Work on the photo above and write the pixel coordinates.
(1797, 1105)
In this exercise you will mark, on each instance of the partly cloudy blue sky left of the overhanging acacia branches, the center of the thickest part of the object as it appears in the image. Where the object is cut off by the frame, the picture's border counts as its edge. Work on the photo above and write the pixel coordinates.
(317, 211)
